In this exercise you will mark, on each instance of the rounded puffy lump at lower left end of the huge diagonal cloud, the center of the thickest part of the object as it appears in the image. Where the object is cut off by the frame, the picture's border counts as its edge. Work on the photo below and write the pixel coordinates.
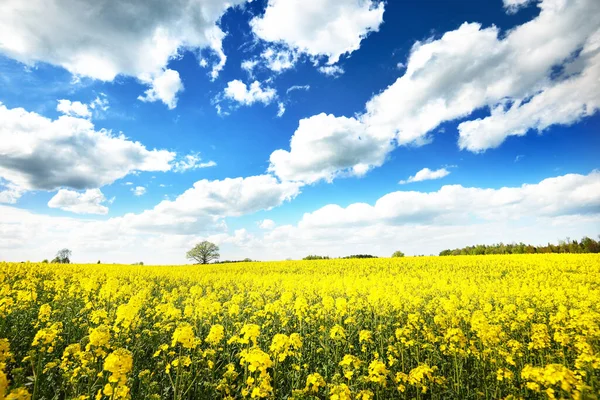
(325, 146)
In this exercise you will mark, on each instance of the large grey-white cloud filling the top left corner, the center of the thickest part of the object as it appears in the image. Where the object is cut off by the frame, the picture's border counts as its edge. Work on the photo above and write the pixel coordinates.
(135, 38)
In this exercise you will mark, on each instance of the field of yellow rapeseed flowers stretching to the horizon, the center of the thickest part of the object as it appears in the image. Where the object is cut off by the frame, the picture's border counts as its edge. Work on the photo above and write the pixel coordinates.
(472, 327)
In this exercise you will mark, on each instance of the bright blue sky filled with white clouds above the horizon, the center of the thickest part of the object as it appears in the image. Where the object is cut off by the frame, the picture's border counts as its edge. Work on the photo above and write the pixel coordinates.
(130, 131)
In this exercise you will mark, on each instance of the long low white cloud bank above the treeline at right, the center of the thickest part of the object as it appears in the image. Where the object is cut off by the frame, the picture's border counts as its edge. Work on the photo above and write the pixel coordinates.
(571, 194)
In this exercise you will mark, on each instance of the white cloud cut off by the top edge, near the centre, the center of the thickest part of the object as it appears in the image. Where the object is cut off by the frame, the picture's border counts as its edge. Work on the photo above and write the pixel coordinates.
(328, 28)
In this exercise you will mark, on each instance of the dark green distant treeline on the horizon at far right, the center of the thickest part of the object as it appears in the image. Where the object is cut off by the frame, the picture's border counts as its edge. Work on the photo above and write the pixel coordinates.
(585, 245)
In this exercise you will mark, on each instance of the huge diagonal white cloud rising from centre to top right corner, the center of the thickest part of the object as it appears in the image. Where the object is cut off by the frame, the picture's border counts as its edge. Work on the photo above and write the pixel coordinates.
(464, 70)
